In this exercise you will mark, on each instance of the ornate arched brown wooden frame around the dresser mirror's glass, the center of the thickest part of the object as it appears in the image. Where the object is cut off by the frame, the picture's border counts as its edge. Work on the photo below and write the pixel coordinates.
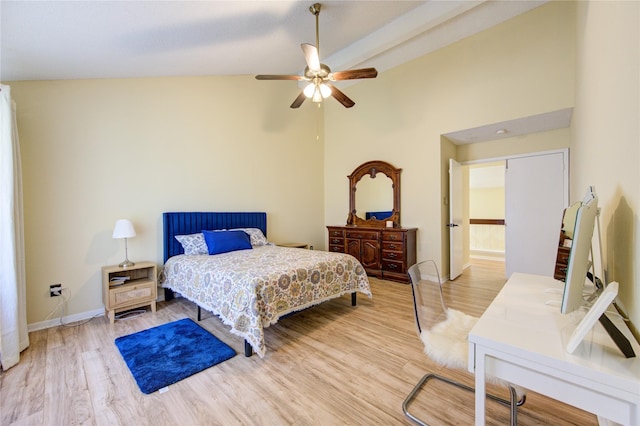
(372, 168)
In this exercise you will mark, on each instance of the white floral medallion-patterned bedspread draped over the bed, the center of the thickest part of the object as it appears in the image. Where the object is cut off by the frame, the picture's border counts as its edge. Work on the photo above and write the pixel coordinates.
(251, 289)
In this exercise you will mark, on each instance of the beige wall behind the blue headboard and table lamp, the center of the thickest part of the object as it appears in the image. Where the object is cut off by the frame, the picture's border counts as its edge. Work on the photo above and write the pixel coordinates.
(94, 151)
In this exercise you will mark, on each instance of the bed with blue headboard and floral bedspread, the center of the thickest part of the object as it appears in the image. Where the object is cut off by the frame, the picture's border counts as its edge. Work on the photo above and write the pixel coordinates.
(251, 289)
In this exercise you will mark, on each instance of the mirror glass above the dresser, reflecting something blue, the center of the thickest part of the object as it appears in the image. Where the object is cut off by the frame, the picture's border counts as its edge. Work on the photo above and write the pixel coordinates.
(374, 197)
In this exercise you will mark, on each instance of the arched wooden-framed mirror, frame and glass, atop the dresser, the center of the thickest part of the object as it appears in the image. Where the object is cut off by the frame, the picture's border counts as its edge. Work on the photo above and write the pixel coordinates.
(374, 195)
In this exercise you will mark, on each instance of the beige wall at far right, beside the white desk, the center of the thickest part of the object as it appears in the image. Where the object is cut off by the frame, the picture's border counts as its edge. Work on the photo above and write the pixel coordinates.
(605, 151)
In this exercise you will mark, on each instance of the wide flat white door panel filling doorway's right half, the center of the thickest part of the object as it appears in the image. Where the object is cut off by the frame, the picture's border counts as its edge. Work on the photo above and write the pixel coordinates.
(536, 193)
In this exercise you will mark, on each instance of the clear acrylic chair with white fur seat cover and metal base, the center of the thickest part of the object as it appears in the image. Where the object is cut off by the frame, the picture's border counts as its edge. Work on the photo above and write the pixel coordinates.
(444, 332)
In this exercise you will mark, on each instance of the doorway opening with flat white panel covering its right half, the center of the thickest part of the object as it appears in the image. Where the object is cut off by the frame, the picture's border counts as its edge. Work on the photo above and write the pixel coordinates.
(522, 212)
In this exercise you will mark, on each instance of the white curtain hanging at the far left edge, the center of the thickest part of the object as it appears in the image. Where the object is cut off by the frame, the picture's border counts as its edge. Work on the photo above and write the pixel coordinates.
(14, 336)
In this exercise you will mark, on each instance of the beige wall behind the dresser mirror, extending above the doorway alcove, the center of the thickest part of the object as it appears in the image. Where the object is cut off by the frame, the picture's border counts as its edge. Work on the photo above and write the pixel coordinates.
(522, 67)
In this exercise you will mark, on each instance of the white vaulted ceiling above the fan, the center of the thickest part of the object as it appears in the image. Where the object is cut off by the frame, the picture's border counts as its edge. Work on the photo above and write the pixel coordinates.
(48, 40)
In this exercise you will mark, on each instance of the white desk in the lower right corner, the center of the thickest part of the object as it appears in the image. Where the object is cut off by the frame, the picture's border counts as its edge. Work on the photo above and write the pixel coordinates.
(522, 340)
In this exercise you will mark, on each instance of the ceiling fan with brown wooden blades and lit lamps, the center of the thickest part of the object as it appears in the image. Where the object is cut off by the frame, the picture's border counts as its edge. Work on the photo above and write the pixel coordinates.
(320, 75)
